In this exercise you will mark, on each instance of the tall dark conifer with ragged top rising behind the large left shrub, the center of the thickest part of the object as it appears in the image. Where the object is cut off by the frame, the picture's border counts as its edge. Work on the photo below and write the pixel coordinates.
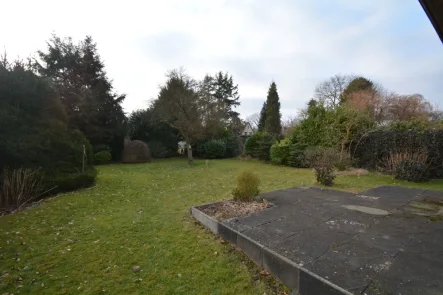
(86, 92)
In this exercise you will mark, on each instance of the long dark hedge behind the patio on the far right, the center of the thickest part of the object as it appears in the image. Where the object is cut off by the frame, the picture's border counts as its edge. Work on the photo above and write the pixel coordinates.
(382, 150)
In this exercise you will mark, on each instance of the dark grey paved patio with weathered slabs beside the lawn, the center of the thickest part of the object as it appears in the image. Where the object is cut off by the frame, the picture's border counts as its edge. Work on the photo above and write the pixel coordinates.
(365, 253)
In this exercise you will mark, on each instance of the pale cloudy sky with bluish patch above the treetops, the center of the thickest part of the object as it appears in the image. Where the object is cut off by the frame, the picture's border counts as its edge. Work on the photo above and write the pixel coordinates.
(295, 43)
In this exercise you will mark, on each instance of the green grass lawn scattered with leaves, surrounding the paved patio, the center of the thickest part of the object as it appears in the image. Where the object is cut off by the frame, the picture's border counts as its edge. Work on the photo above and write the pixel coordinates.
(87, 242)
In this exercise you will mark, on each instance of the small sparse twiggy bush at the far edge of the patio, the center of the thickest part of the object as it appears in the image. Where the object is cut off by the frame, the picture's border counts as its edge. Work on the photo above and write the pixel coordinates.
(322, 160)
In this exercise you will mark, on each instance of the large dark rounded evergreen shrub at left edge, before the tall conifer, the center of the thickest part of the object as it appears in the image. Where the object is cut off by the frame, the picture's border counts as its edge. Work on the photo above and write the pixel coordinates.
(34, 133)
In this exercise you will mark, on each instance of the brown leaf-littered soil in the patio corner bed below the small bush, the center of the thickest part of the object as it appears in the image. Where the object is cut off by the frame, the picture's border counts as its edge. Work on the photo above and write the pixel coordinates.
(230, 208)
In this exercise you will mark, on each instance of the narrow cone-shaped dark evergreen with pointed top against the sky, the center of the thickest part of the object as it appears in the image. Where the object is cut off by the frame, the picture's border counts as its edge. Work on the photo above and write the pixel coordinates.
(273, 115)
